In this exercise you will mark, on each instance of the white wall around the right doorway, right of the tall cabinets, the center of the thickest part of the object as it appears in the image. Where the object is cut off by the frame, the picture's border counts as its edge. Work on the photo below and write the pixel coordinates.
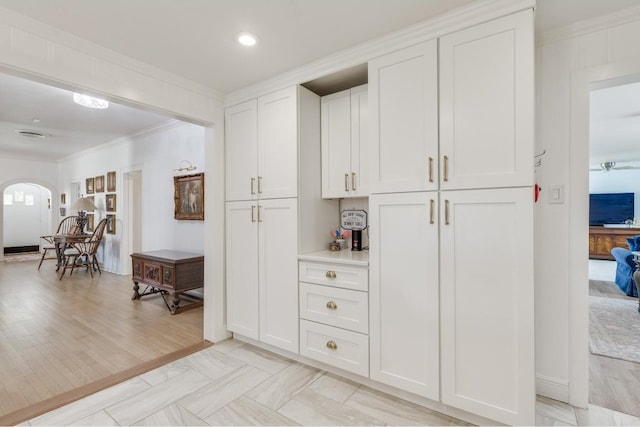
(561, 58)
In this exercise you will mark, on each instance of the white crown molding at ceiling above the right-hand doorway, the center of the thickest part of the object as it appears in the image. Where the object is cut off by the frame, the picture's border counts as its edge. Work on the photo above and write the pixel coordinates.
(588, 26)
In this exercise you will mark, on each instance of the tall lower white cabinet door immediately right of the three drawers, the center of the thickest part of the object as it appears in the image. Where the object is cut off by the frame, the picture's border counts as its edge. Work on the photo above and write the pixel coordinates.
(403, 292)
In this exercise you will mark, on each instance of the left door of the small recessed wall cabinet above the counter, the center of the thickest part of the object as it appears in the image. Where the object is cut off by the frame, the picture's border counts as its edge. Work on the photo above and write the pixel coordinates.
(336, 144)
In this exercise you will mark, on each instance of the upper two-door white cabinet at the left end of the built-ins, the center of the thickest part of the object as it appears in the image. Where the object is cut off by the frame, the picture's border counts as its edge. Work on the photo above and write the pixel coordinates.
(261, 147)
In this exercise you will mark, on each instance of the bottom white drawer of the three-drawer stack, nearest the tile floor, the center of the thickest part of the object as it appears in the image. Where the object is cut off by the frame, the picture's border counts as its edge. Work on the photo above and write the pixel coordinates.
(343, 349)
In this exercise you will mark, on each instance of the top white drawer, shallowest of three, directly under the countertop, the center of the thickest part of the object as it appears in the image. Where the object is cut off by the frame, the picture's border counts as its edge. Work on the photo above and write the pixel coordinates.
(342, 276)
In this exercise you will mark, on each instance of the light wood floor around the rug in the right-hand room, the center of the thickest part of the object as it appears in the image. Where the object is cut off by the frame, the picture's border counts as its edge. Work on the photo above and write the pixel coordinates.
(613, 383)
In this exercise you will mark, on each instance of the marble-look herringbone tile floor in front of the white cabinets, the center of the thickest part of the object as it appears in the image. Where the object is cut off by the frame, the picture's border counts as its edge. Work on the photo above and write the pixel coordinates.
(232, 383)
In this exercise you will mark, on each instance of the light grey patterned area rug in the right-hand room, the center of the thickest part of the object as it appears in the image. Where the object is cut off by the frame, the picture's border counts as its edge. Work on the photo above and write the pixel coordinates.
(614, 328)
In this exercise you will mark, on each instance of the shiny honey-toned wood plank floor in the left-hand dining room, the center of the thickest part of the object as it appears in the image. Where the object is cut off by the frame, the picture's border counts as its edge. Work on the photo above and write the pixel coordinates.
(57, 336)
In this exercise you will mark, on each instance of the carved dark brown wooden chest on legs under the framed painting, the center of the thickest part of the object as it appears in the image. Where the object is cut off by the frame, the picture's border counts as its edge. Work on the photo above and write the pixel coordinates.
(168, 272)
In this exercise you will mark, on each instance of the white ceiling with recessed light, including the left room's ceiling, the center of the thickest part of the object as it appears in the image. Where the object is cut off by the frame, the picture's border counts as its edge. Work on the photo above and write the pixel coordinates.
(195, 39)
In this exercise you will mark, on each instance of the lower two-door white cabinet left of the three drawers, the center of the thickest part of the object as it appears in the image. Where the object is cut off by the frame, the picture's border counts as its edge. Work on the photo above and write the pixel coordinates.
(262, 297)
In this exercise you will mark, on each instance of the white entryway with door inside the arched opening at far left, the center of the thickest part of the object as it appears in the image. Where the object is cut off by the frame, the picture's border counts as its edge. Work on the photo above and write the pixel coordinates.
(25, 222)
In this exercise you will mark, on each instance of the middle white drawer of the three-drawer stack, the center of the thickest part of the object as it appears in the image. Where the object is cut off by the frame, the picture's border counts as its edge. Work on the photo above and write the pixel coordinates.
(343, 308)
